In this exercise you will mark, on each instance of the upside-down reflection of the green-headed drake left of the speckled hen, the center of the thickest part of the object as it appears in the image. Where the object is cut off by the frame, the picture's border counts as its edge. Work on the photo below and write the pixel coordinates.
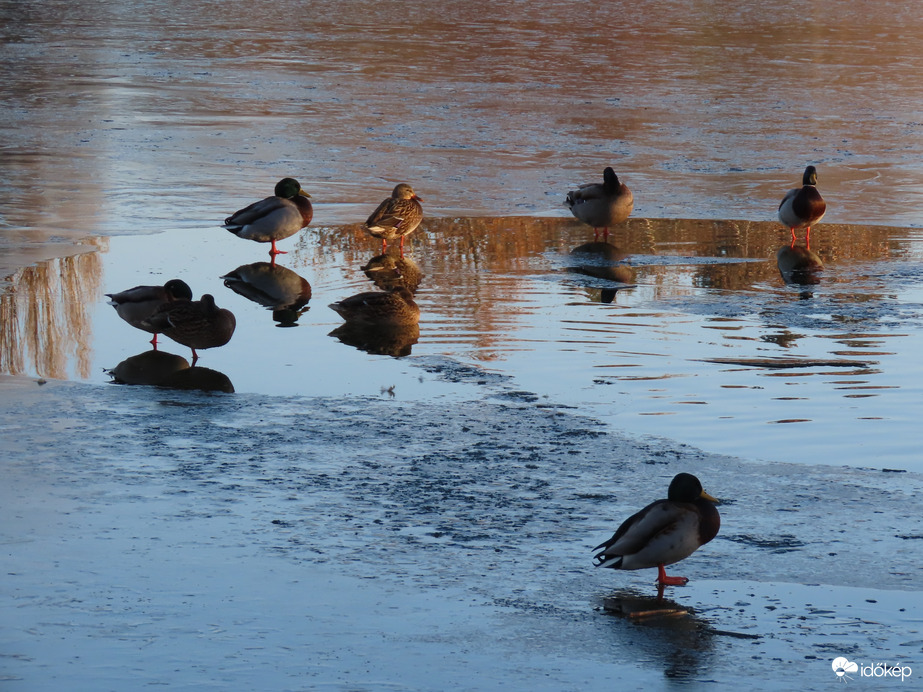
(275, 287)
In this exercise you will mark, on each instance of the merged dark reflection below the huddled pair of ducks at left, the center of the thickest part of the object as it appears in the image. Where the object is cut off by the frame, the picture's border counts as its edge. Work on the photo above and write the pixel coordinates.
(162, 369)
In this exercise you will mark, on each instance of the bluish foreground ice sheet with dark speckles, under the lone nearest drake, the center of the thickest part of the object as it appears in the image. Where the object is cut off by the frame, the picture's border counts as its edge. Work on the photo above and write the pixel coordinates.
(214, 540)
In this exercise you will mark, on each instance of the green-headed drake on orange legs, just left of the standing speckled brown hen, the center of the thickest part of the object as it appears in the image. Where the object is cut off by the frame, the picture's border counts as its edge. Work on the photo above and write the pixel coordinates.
(274, 218)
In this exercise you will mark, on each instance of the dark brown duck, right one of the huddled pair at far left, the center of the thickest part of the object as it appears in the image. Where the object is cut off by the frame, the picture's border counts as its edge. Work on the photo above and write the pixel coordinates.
(198, 324)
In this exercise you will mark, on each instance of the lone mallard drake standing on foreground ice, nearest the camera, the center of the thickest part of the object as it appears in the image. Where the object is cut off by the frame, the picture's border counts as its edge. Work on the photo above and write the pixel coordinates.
(664, 532)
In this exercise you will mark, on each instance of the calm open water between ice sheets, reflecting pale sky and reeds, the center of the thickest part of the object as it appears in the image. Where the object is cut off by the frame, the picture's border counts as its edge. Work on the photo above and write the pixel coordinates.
(701, 340)
